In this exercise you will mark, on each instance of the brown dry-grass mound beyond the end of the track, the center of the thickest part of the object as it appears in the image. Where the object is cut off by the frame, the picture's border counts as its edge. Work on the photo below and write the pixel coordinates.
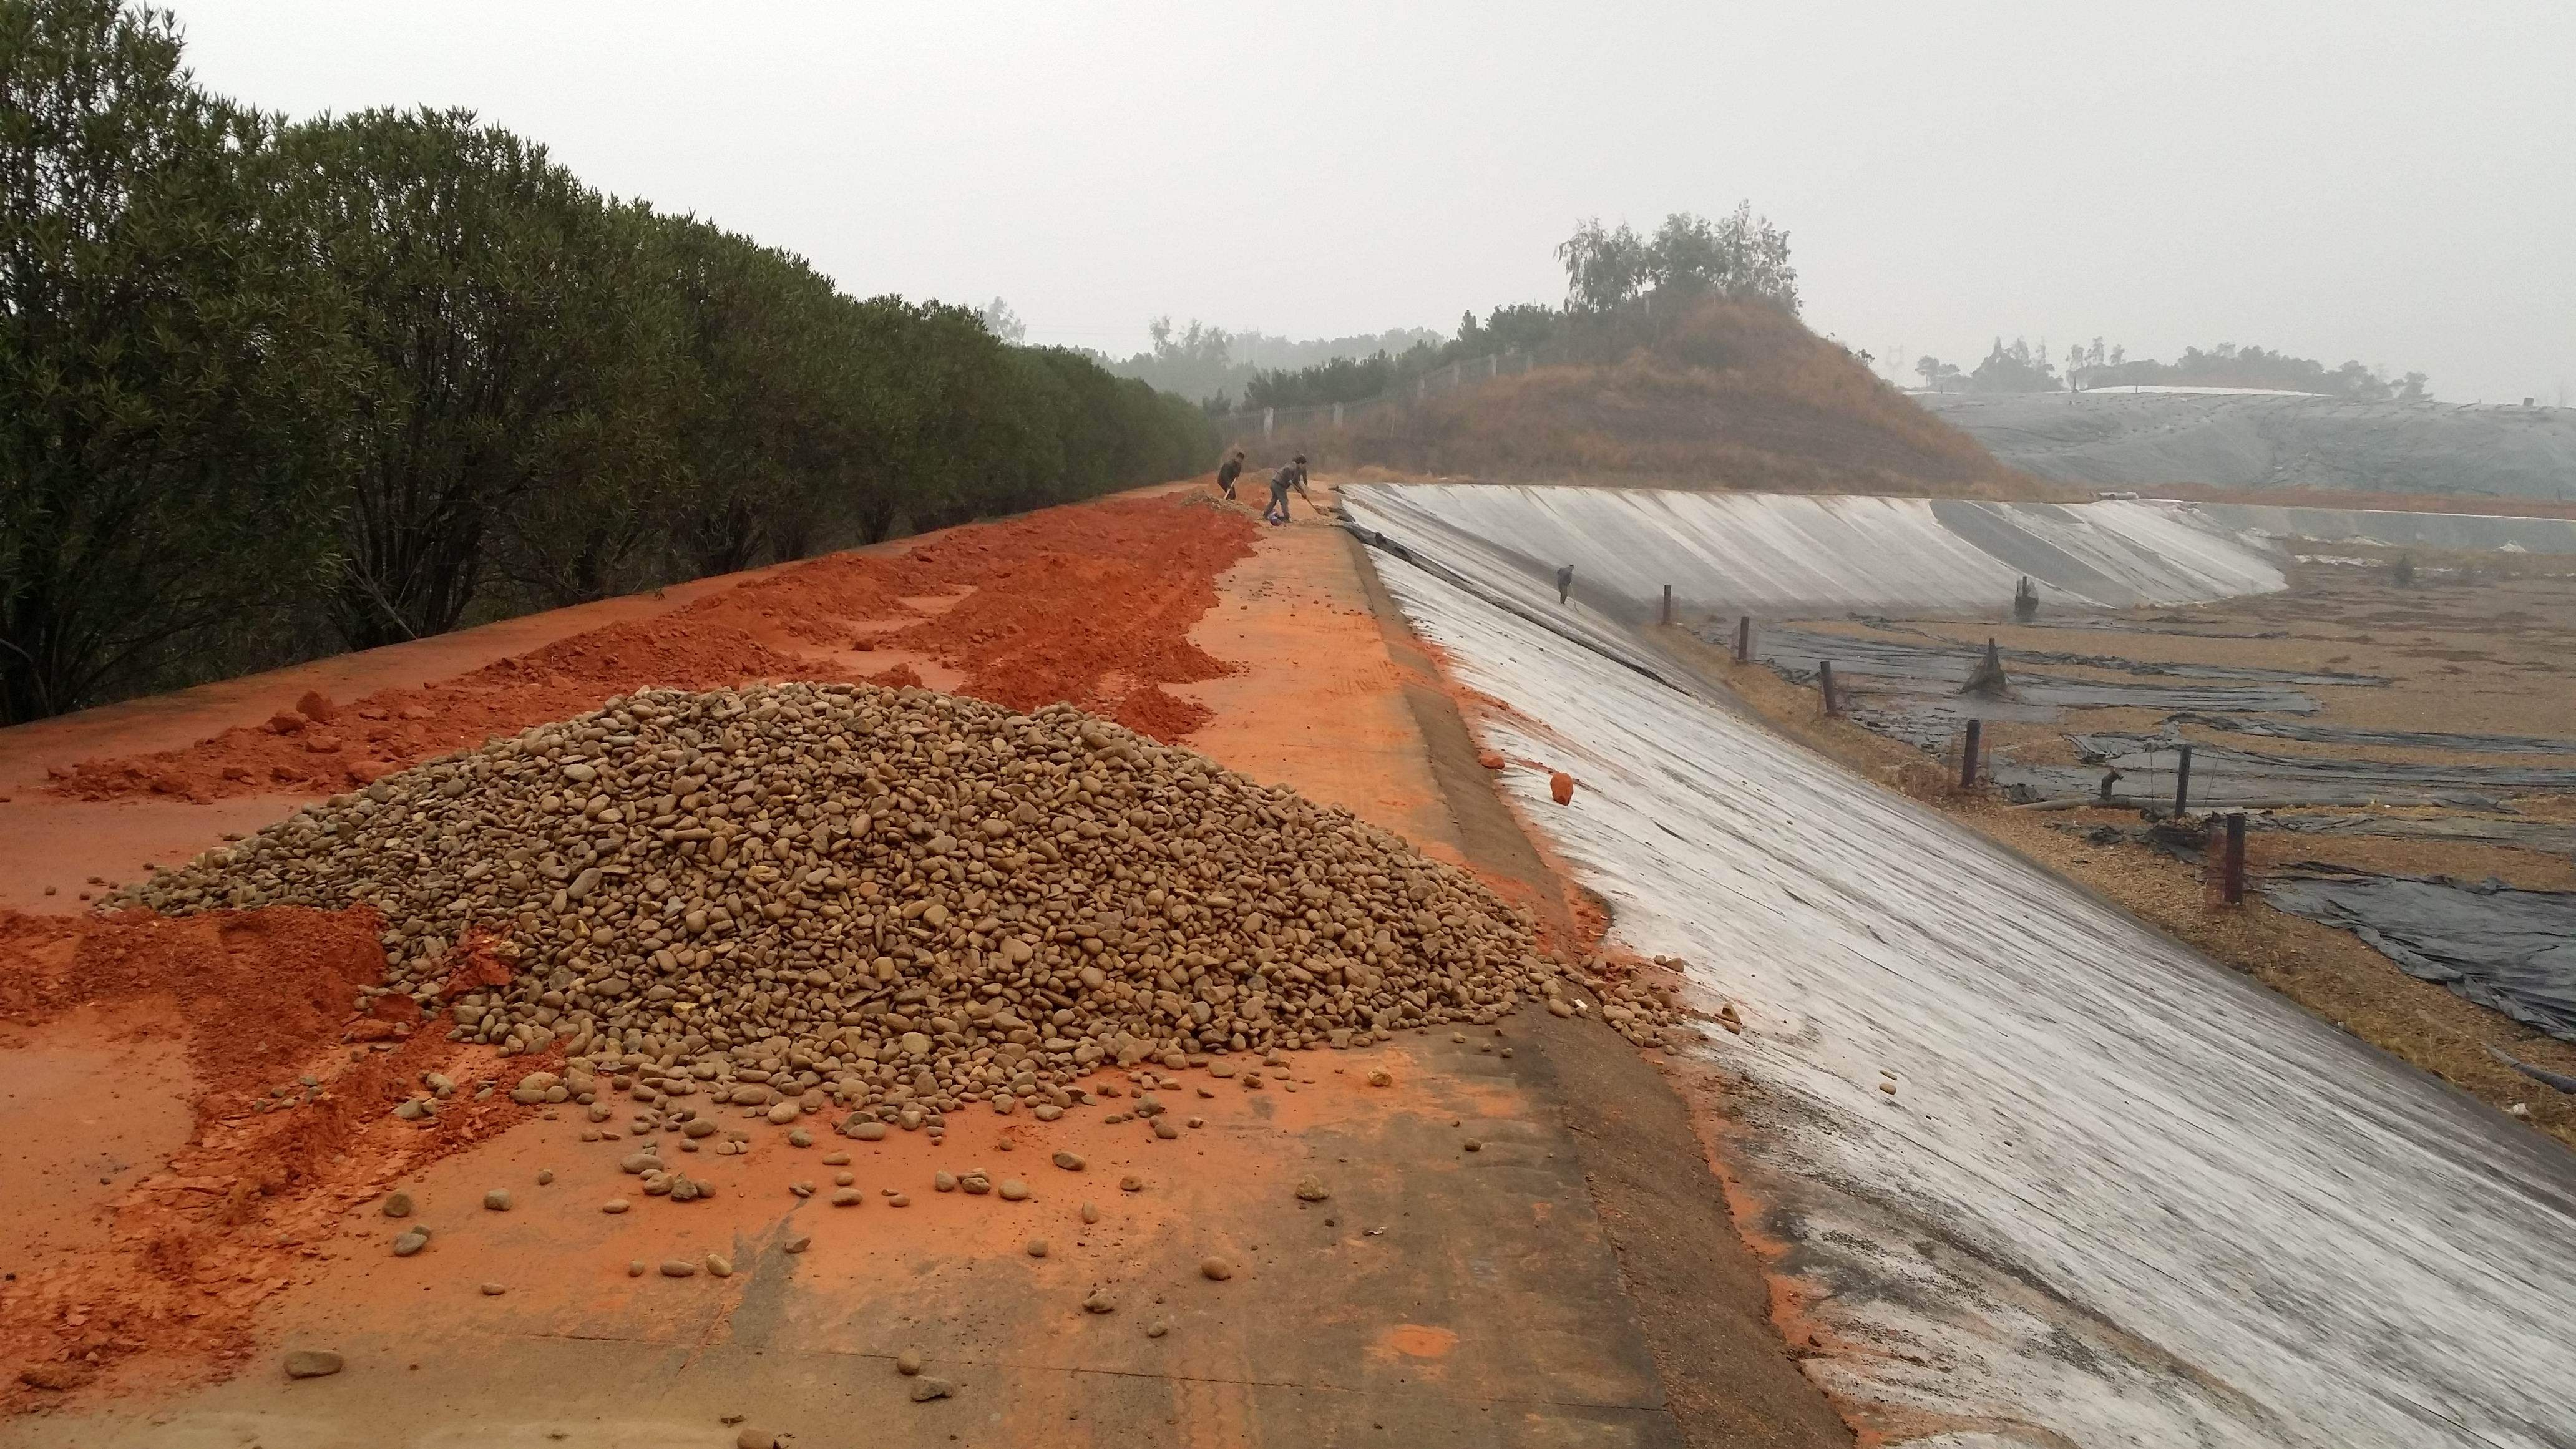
(1725, 398)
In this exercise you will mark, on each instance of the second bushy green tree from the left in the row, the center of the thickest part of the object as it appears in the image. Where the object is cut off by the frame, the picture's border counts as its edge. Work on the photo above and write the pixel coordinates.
(486, 306)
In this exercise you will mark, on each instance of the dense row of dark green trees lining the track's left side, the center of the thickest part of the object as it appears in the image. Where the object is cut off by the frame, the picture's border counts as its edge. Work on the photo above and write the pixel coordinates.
(272, 391)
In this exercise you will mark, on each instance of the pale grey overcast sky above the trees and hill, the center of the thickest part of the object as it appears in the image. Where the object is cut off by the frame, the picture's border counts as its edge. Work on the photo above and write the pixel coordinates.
(2392, 184)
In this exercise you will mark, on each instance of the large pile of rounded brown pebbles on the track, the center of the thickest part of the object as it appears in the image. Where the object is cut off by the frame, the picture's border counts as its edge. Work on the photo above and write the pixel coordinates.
(859, 896)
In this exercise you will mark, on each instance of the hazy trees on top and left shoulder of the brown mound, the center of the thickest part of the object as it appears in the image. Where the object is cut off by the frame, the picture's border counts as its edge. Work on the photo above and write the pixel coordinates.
(1743, 259)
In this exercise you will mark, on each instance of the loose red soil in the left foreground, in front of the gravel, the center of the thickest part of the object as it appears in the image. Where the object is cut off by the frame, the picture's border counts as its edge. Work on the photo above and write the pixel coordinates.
(259, 999)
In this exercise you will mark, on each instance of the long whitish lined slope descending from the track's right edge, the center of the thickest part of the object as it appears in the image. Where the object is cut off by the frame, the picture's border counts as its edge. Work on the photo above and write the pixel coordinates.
(2121, 1195)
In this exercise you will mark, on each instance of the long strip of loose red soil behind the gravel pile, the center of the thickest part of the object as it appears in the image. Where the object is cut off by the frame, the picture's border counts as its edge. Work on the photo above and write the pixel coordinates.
(1083, 605)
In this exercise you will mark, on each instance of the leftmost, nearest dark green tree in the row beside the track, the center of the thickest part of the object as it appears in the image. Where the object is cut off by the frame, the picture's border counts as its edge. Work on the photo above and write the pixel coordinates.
(166, 362)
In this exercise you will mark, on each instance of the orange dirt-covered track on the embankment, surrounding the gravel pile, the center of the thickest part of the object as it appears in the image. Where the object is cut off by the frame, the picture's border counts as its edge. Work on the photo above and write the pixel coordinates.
(1519, 1249)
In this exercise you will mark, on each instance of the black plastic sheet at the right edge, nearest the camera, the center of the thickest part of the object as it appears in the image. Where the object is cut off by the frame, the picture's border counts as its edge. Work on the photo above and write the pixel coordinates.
(2500, 948)
